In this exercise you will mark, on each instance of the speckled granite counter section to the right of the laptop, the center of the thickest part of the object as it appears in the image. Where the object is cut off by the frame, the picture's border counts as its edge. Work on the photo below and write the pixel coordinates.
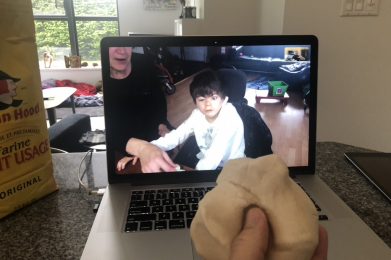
(353, 188)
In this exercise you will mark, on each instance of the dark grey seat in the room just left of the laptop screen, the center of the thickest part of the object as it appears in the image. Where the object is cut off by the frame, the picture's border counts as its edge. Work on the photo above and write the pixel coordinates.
(65, 134)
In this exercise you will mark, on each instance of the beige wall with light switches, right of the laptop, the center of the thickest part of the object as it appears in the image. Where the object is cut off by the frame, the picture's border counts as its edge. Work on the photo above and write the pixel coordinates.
(354, 71)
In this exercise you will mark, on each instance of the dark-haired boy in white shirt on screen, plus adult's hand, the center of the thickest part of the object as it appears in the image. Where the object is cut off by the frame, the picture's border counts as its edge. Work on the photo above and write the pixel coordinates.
(217, 127)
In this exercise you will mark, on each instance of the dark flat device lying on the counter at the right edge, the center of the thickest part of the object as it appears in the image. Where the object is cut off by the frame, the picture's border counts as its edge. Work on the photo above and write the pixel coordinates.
(376, 167)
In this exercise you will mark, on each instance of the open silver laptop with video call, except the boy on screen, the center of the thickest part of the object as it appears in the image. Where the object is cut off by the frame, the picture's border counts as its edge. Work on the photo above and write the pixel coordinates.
(117, 232)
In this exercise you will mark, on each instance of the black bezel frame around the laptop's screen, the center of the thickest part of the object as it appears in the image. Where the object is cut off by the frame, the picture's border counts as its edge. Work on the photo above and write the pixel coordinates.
(157, 41)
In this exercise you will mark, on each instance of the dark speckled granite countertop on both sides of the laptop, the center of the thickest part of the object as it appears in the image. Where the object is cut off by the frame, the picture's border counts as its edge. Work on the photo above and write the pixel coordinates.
(57, 226)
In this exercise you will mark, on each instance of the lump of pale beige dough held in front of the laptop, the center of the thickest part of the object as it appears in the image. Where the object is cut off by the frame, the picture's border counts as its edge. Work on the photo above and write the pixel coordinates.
(263, 182)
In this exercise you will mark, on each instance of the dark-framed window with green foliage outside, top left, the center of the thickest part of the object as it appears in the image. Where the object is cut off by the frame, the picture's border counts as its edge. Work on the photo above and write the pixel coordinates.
(73, 27)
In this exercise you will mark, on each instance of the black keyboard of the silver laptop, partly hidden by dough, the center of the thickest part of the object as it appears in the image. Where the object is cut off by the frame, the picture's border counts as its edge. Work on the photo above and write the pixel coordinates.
(164, 209)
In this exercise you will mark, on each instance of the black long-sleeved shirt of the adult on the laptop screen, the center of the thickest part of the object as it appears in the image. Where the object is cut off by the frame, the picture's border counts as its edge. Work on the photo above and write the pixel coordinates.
(136, 105)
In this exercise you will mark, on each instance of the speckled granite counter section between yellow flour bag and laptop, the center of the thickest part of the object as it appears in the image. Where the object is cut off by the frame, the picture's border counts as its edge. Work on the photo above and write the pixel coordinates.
(55, 227)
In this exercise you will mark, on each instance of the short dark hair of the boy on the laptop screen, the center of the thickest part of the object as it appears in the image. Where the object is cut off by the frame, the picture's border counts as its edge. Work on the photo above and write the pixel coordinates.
(205, 84)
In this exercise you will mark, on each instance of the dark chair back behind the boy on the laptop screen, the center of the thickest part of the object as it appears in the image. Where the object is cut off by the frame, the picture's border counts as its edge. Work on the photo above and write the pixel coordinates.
(257, 136)
